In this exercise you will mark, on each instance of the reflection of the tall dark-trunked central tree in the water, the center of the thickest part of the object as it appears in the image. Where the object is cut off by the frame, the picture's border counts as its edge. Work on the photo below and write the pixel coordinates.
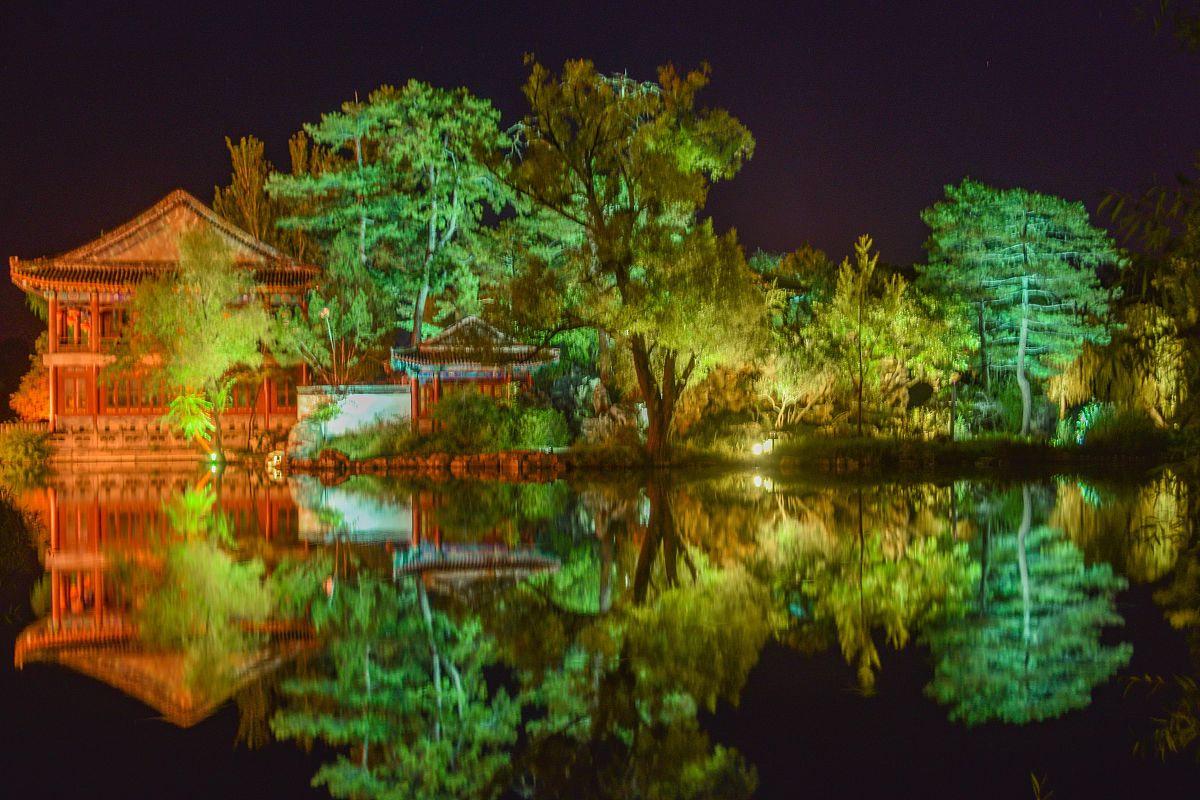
(619, 688)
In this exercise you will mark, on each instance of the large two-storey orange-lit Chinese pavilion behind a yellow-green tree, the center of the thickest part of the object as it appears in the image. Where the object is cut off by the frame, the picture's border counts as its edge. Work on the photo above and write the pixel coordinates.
(88, 291)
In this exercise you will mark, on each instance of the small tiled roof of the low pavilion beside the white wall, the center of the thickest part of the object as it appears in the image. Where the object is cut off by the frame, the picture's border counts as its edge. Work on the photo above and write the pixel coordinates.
(472, 345)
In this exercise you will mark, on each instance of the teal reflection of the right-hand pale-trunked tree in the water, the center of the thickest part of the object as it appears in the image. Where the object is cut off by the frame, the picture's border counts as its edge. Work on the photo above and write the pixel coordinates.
(1031, 648)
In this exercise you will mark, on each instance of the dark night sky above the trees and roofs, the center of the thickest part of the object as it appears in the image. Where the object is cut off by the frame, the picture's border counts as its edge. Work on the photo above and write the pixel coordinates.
(862, 111)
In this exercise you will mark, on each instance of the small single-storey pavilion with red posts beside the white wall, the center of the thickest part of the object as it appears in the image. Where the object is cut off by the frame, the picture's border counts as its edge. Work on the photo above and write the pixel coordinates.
(470, 356)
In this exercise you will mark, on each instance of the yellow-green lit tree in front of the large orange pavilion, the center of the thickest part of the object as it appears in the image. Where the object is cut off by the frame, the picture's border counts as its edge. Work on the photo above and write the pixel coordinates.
(195, 329)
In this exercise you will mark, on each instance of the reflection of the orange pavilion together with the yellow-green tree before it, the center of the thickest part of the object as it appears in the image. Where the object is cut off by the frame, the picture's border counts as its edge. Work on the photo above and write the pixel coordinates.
(155, 588)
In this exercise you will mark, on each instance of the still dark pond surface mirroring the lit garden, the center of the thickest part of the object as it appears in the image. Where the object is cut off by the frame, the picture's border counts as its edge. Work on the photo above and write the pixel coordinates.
(710, 636)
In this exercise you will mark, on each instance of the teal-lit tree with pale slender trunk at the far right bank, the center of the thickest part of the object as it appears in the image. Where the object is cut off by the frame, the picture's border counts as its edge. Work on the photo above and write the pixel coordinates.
(1029, 263)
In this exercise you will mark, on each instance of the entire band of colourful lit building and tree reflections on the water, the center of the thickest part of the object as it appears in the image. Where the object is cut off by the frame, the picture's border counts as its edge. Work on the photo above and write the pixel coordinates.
(473, 639)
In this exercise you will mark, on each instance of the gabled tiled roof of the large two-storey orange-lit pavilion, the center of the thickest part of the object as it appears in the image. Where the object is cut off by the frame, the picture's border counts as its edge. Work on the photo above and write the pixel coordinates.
(148, 246)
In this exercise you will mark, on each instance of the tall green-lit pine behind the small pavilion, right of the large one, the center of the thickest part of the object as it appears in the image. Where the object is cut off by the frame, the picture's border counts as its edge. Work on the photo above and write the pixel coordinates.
(406, 181)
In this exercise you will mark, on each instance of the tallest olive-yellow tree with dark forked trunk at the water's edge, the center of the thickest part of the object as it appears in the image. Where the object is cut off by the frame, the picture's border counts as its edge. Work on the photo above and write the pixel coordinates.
(628, 166)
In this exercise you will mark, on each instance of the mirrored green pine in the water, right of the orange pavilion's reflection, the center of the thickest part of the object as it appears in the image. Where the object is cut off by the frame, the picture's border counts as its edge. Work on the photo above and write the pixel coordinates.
(403, 687)
